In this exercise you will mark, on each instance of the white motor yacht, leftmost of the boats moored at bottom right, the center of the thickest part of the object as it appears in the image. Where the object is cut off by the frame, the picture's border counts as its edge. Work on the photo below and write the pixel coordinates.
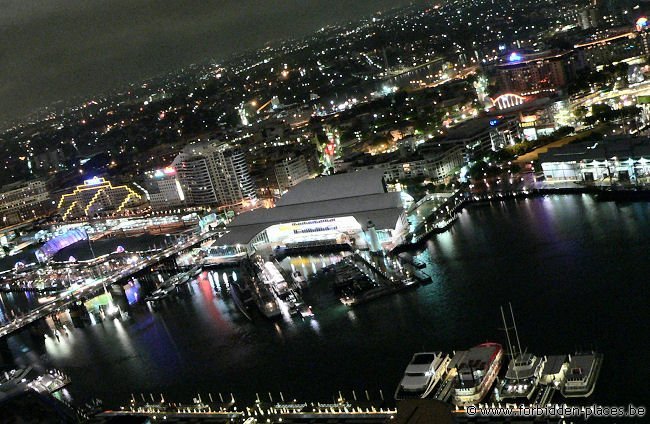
(422, 374)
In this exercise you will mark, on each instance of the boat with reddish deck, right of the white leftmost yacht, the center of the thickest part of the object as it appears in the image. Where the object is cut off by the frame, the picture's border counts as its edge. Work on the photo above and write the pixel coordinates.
(477, 370)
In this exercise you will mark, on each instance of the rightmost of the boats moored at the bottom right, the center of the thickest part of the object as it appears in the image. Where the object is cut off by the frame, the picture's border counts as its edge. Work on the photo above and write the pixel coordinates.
(582, 375)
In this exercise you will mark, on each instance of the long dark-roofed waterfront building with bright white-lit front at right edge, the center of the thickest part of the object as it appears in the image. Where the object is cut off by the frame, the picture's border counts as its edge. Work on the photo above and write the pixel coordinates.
(625, 160)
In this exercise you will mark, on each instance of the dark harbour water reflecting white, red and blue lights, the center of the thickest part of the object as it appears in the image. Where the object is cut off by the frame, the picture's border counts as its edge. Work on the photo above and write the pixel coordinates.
(575, 270)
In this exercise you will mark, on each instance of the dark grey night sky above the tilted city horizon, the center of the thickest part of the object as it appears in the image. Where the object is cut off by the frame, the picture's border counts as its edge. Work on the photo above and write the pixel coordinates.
(59, 49)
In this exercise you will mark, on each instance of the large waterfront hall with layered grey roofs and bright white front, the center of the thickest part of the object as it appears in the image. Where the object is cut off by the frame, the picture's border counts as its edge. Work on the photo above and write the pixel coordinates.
(340, 209)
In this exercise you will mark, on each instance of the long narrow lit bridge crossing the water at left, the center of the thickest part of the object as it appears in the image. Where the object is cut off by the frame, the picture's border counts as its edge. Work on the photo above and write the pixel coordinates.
(67, 298)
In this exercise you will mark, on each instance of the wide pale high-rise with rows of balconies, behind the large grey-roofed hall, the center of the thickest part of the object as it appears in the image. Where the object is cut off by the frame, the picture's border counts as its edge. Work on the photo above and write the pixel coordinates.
(215, 173)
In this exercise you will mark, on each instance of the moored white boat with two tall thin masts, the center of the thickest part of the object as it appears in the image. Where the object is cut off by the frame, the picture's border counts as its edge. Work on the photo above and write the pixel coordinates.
(522, 377)
